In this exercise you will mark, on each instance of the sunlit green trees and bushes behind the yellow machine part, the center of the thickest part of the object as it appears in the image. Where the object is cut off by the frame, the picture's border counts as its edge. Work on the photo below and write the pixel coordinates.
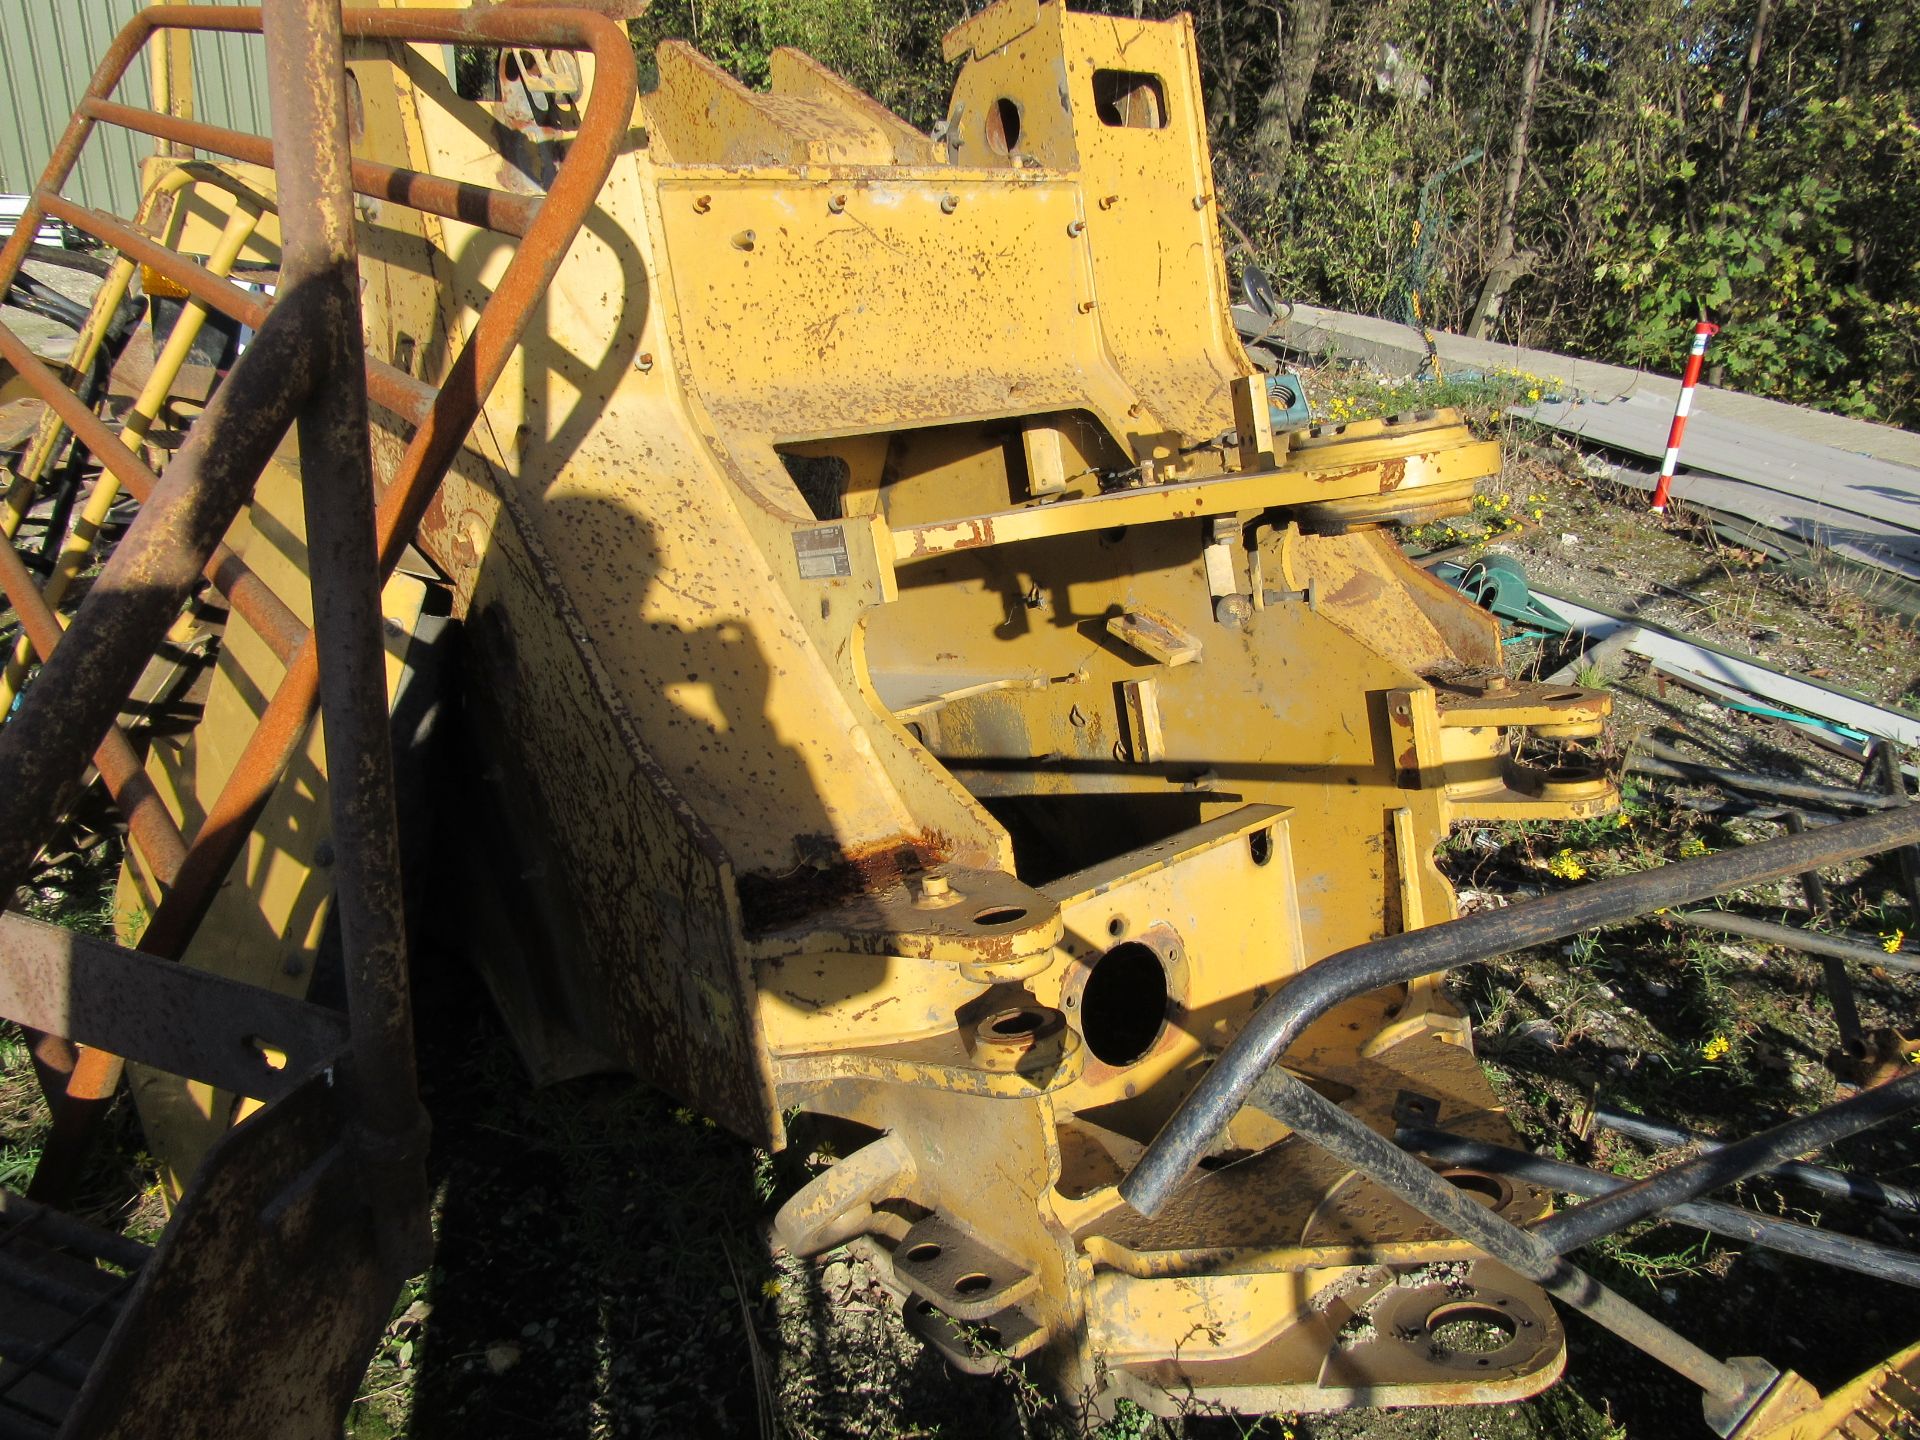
(1585, 176)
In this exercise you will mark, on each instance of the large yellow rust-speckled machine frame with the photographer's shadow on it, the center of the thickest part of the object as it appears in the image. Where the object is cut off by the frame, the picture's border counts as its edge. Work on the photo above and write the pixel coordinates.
(932, 708)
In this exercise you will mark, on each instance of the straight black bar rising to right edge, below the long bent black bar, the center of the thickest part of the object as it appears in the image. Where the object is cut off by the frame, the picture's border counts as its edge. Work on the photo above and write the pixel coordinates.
(1731, 1163)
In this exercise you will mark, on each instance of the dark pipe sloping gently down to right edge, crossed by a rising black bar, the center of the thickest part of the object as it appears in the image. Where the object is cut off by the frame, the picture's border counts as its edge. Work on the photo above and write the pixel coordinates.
(1788, 1237)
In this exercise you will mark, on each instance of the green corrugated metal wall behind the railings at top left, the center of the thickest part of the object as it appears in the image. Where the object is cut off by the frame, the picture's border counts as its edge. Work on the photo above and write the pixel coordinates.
(49, 51)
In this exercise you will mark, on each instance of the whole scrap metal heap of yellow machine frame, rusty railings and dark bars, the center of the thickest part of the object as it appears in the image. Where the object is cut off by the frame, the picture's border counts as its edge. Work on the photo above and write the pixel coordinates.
(923, 700)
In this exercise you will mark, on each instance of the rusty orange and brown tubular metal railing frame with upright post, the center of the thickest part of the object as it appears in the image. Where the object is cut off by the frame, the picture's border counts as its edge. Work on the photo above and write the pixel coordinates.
(297, 1232)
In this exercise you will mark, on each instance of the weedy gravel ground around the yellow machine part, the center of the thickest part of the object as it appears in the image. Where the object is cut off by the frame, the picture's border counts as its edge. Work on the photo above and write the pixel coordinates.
(604, 1266)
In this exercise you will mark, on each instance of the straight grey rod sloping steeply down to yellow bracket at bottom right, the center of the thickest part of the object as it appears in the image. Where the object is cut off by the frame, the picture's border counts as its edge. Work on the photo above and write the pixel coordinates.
(1347, 1138)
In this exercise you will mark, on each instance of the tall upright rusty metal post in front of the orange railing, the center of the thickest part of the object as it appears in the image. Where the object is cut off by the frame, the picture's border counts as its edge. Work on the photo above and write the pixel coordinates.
(320, 256)
